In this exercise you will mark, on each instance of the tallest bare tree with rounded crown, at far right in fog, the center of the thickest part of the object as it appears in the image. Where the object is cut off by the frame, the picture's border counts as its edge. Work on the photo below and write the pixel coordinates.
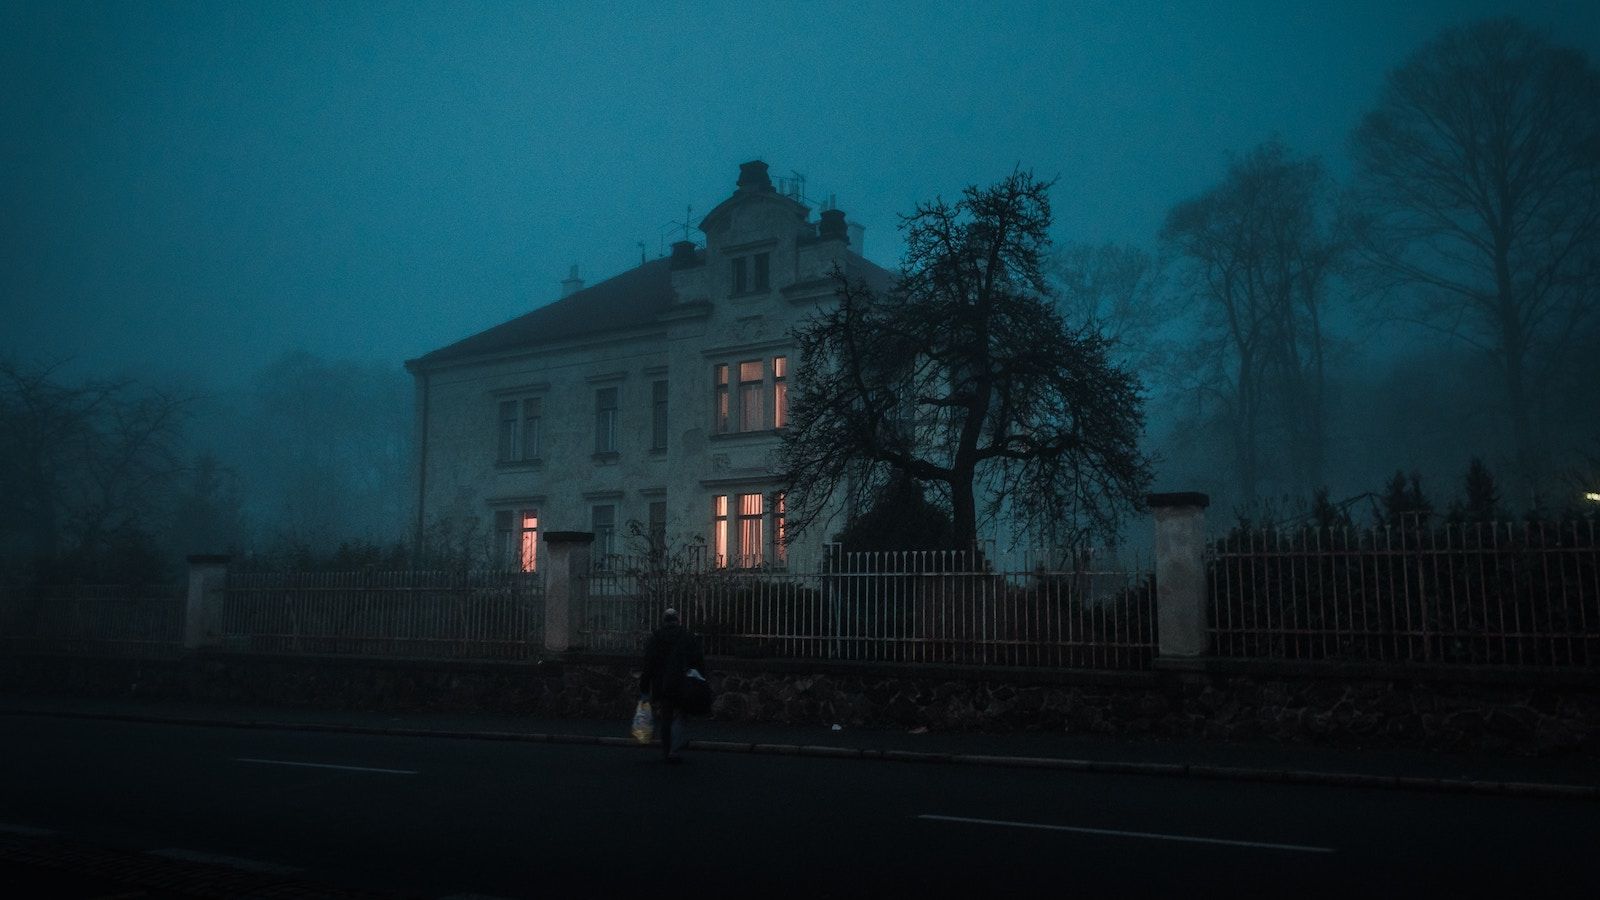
(1481, 188)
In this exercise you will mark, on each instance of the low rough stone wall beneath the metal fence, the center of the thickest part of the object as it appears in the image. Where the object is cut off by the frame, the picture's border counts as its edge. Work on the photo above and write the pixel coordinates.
(1516, 713)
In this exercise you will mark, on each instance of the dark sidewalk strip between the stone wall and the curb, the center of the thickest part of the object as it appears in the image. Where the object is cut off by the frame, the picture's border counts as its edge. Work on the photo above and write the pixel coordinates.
(1404, 769)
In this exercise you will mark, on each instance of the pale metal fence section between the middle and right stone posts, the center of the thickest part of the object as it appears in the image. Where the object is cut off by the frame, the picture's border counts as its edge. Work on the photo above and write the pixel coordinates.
(898, 608)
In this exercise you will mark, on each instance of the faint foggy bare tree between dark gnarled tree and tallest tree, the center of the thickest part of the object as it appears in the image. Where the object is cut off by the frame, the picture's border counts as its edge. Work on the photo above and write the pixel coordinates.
(1260, 252)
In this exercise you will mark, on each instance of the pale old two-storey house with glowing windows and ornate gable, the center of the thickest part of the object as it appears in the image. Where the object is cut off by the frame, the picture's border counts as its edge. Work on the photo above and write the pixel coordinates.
(654, 398)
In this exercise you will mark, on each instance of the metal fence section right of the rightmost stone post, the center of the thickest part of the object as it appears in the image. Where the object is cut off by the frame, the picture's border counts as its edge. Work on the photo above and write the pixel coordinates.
(1500, 595)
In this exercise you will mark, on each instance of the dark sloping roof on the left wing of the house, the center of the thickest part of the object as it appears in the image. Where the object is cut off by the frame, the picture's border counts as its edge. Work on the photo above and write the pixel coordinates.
(623, 302)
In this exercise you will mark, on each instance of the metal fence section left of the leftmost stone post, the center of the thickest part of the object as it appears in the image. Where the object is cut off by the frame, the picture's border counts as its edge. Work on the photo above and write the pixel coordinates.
(94, 619)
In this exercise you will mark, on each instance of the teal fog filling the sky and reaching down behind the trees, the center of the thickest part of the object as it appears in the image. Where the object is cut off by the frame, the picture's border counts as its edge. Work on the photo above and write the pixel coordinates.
(262, 212)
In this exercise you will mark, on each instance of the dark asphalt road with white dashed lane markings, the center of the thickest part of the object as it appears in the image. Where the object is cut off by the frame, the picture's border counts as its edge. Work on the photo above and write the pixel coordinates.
(425, 818)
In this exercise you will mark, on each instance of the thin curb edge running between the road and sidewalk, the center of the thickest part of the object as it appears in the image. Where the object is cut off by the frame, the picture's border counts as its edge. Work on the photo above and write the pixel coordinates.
(1097, 766)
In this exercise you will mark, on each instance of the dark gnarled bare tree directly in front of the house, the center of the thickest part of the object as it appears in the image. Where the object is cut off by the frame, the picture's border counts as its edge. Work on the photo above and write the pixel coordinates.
(967, 379)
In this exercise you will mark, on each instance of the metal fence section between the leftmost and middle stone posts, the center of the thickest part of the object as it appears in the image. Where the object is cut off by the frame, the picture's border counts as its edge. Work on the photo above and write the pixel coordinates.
(391, 614)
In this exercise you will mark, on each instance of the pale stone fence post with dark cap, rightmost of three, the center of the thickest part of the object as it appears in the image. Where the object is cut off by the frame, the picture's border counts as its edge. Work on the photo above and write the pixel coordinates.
(1180, 574)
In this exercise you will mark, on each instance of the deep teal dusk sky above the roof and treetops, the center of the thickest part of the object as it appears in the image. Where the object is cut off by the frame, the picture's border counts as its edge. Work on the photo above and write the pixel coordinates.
(198, 188)
